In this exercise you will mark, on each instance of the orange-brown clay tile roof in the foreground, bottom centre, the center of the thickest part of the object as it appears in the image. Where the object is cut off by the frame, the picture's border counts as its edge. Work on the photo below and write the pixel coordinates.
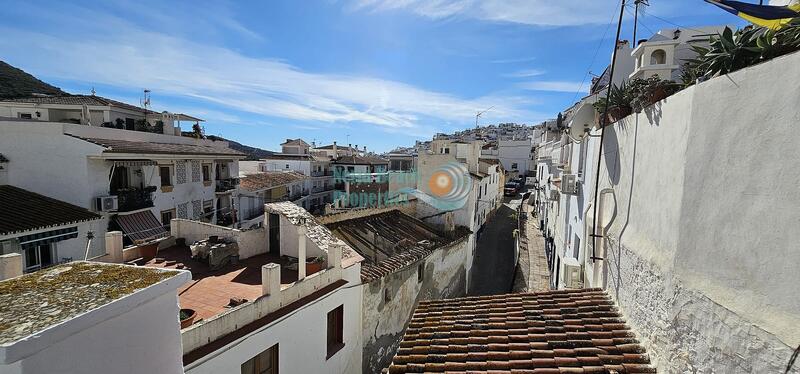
(565, 331)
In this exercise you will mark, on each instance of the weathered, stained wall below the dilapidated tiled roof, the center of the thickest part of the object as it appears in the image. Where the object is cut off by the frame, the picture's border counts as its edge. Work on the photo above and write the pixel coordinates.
(384, 321)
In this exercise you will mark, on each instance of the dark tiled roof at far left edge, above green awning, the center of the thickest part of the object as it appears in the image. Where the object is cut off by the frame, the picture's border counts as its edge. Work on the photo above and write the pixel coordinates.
(22, 210)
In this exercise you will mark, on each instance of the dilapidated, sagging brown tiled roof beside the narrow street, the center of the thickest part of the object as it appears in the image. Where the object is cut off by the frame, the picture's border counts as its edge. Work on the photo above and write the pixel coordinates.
(411, 239)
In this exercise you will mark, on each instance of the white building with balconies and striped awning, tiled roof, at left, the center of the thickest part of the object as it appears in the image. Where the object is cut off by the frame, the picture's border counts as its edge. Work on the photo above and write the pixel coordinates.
(137, 180)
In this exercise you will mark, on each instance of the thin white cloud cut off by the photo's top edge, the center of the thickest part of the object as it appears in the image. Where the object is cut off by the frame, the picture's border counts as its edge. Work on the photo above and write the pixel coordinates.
(529, 12)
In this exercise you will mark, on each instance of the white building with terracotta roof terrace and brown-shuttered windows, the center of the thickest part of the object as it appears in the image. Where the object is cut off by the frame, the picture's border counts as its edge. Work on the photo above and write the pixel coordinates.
(295, 295)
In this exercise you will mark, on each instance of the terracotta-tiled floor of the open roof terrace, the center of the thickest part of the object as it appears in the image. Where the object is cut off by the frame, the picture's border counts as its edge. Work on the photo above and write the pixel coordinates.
(210, 292)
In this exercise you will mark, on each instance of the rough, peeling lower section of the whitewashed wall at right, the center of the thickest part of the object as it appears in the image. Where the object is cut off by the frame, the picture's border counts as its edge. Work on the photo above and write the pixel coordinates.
(684, 330)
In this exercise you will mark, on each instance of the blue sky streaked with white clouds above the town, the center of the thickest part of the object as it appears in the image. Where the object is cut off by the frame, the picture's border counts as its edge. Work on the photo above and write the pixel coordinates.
(381, 73)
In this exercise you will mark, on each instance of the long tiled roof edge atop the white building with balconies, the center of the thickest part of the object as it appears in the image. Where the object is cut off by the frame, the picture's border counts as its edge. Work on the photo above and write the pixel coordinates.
(126, 146)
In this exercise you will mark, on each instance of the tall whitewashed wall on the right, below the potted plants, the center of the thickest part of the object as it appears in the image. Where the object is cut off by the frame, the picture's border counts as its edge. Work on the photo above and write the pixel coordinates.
(702, 254)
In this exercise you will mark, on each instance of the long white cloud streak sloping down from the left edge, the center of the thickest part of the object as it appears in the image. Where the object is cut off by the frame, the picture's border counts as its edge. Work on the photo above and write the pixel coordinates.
(131, 57)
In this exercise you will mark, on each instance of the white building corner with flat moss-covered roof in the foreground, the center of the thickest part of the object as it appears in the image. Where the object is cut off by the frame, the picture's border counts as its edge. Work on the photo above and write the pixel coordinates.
(87, 317)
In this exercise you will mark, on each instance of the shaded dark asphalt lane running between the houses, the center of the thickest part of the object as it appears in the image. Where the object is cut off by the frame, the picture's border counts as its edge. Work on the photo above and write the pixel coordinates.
(493, 265)
